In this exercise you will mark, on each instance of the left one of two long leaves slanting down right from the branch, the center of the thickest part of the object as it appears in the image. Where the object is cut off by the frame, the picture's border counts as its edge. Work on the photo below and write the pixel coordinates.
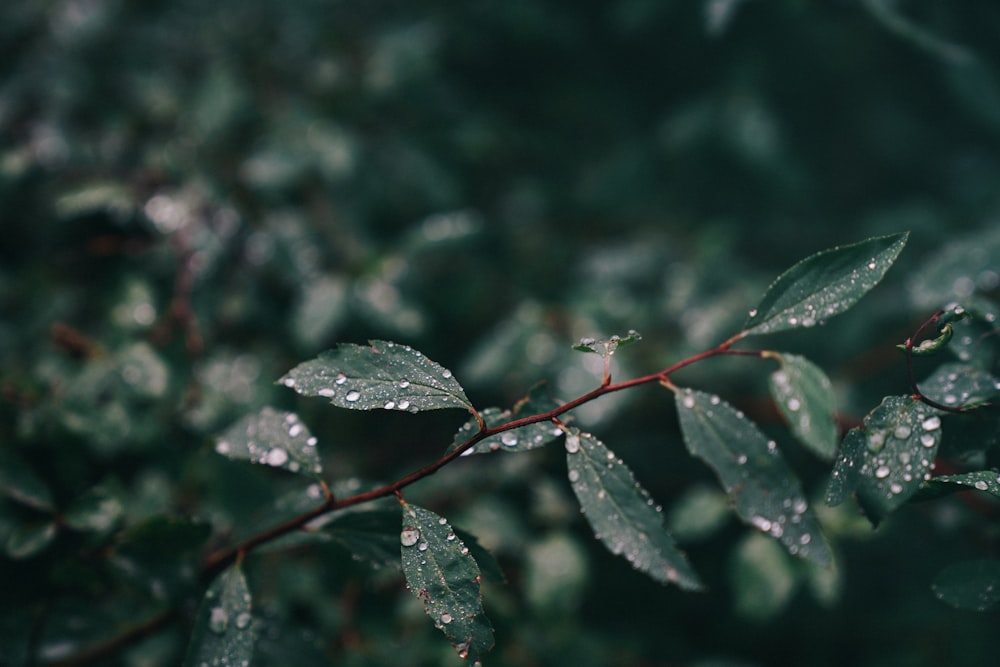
(622, 513)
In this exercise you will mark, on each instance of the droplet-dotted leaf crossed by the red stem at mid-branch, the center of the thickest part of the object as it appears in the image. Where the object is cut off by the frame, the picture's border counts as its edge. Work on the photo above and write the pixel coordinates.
(521, 439)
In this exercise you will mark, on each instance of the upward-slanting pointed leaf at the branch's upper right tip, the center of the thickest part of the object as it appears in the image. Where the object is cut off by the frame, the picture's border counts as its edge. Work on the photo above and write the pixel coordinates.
(824, 285)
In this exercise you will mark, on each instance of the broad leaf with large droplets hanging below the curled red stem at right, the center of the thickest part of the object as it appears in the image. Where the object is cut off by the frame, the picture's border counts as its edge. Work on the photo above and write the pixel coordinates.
(891, 457)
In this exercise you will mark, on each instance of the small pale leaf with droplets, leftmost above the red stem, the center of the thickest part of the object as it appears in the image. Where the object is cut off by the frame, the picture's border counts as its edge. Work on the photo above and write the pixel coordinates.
(272, 437)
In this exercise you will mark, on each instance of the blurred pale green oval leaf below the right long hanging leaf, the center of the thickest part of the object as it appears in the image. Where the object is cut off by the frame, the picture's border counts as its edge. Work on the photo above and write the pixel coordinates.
(762, 577)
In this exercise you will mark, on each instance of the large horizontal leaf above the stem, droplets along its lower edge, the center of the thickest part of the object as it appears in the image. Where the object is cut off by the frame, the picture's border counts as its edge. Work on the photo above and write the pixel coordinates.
(381, 375)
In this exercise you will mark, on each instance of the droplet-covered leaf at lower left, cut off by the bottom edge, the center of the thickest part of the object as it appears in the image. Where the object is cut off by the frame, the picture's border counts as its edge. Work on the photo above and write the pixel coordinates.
(223, 632)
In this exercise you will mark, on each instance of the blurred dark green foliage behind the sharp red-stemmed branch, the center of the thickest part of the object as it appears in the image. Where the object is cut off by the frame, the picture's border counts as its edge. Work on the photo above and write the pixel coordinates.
(196, 196)
